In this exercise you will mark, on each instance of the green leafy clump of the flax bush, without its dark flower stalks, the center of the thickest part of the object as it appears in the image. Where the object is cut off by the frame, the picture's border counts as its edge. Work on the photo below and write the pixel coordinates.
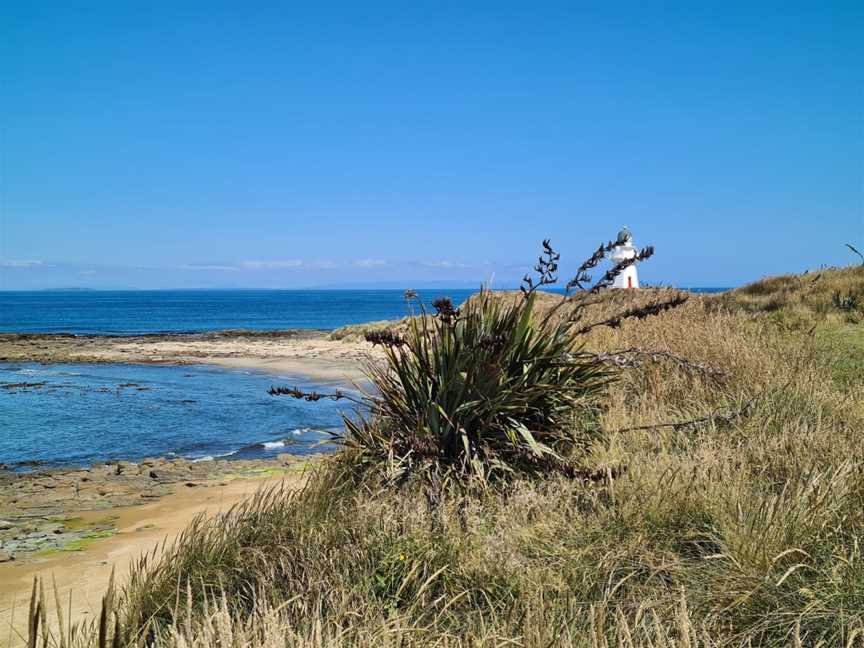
(485, 389)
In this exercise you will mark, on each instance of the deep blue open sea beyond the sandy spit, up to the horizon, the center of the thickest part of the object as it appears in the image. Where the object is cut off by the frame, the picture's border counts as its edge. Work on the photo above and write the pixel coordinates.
(188, 311)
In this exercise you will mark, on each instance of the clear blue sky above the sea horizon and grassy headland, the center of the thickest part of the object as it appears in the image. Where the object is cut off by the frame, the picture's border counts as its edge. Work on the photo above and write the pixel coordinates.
(245, 144)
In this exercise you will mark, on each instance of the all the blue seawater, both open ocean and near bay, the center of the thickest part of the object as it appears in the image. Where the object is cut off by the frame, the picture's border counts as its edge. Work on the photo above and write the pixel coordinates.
(79, 414)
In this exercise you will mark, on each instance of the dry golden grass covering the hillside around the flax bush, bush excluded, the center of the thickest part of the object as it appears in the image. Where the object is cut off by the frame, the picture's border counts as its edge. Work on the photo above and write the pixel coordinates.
(718, 501)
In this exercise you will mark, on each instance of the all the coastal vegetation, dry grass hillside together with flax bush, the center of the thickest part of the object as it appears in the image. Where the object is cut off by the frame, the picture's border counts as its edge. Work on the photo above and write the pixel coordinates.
(613, 468)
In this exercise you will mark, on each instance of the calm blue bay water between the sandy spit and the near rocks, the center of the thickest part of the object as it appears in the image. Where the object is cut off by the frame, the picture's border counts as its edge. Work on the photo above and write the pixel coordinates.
(77, 414)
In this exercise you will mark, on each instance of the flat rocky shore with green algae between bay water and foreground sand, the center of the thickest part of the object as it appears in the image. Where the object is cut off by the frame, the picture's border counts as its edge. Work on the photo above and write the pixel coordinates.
(40, 510)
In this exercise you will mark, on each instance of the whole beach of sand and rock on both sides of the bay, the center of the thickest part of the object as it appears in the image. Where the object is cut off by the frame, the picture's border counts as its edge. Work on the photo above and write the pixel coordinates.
(74, 526)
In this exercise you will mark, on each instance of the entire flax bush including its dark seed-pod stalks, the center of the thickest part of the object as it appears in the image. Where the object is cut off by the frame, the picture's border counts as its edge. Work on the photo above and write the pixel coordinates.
(494, 387)
